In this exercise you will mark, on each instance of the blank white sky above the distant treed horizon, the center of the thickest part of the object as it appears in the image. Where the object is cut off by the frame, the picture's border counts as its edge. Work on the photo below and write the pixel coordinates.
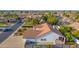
(38, 4)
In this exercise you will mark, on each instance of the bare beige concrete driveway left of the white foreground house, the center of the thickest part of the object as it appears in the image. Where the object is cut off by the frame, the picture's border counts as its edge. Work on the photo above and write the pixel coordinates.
(13, 42)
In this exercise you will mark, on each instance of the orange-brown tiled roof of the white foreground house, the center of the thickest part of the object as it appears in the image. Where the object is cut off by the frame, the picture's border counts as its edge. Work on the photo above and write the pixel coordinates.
(37, 31)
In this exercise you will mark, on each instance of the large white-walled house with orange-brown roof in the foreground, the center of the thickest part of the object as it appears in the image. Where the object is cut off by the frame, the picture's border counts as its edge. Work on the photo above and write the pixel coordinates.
(42, 34)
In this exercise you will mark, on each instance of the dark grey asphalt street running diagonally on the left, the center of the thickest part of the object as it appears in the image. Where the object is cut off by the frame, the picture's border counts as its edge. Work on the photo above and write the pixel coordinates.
(5, 35)
